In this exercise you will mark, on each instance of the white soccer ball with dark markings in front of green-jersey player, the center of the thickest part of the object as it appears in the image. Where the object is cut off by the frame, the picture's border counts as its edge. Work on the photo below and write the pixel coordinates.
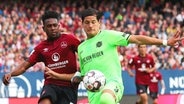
(94, 80)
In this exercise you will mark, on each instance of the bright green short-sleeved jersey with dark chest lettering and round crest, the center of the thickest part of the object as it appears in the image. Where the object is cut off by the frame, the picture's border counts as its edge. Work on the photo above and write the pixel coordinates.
(100, 53)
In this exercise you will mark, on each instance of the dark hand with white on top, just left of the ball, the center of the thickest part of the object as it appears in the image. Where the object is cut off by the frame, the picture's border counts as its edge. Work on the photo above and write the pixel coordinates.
(76, 79)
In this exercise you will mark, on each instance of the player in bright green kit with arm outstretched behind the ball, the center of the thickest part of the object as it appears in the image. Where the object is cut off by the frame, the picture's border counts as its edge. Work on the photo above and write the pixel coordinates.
(99, 51)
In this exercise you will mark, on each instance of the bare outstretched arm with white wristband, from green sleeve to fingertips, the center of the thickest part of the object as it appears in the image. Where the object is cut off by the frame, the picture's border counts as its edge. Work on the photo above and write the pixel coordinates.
(140, 39)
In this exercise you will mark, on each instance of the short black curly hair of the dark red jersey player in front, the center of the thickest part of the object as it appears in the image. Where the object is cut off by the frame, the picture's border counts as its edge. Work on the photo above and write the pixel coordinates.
(50, 14)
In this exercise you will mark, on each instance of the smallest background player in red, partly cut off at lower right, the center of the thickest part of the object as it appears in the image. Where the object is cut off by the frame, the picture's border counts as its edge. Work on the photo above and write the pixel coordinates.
(156, 77)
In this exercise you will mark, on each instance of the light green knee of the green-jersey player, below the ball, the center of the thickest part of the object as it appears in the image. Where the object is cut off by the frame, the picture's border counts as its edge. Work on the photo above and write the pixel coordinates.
(107, 98)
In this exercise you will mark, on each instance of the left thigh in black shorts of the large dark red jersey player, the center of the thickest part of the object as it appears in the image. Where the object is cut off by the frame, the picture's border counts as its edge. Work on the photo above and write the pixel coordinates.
(48, 93)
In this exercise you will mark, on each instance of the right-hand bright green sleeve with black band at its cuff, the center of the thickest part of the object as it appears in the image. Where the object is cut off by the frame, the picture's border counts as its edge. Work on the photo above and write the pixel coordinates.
(117, 38)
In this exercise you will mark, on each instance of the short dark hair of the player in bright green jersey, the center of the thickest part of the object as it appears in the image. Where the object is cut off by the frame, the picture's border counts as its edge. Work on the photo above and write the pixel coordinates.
(91, 12)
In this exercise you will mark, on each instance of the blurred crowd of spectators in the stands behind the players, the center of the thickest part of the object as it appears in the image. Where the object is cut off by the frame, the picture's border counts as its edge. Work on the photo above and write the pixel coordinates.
(21, 28)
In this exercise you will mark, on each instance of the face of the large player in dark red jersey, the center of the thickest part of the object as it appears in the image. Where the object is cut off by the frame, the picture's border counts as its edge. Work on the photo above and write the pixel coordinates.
(51, 28)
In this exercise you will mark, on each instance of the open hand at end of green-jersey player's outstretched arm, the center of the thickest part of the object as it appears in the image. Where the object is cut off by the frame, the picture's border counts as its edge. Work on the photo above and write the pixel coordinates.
(174, 41)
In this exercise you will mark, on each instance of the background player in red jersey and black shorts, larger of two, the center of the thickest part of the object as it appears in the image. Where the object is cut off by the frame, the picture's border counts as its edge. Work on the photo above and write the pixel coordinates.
(143, 65)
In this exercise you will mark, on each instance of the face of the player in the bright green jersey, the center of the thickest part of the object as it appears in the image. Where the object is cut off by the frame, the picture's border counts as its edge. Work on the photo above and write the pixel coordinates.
(91, 26)
